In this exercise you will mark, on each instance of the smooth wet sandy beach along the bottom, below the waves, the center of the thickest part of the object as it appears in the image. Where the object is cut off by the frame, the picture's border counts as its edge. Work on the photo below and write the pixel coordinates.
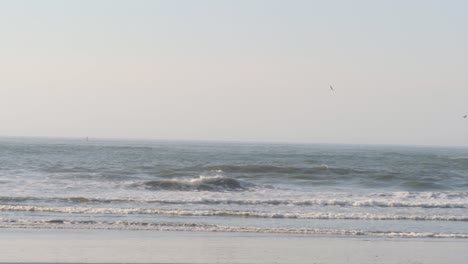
(101, 246)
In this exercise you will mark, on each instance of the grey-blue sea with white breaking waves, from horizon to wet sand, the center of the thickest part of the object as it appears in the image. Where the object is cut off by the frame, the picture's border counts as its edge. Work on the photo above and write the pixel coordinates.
(377, 191)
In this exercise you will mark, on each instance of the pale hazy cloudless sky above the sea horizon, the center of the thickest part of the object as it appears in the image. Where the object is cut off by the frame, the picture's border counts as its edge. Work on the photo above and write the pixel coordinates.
(236, 70)
